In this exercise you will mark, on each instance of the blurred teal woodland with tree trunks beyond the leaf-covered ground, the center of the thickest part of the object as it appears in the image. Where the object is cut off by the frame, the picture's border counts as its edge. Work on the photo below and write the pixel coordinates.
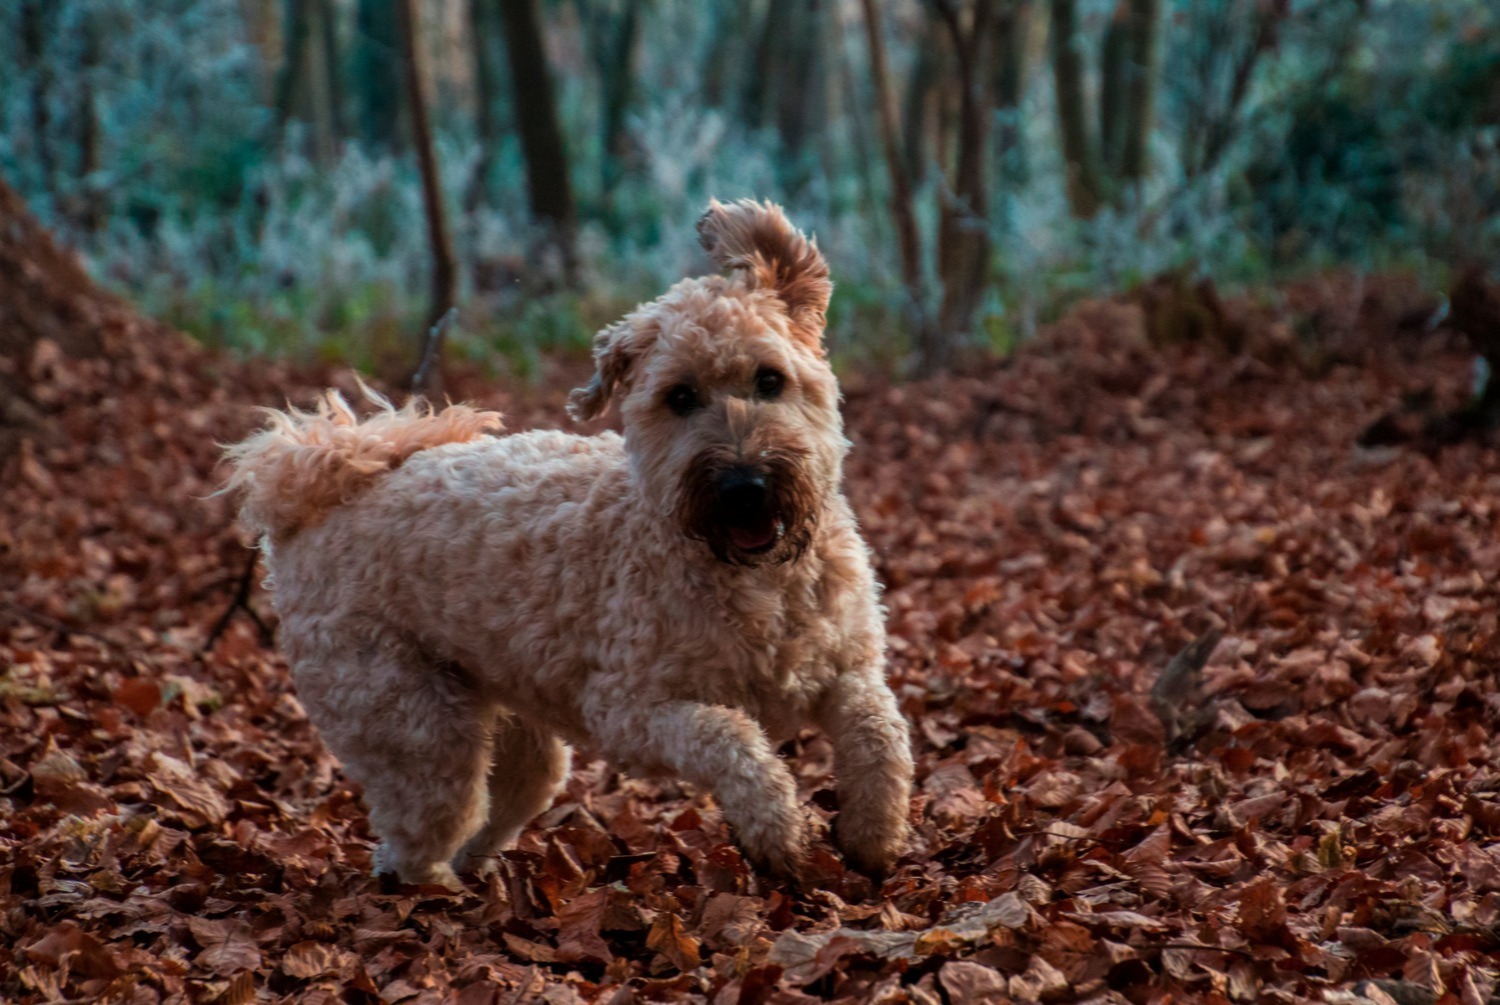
(251, 170)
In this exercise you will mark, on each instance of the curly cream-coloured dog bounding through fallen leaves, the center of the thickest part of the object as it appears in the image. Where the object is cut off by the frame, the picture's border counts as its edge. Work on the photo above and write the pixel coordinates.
(460, 608)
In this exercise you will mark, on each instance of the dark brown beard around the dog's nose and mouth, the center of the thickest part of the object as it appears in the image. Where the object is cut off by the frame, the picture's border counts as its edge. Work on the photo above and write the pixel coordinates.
(793, 506)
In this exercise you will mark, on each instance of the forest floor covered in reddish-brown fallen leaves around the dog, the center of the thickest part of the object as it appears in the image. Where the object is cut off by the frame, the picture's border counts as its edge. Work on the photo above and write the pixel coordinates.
(1312, 817)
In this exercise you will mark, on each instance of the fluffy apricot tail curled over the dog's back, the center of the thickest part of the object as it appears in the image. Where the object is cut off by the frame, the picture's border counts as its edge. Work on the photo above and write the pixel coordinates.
(308, 463)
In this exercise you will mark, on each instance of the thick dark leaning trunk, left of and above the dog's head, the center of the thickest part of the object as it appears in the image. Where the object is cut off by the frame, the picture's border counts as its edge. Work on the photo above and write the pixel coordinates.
(538, 121)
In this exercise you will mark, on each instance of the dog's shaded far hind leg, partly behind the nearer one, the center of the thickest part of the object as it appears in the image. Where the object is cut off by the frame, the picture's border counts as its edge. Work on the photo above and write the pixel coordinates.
(527, 770)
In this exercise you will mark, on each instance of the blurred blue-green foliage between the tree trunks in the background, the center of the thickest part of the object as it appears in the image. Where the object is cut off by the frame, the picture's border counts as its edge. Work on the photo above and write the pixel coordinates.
(145, 133)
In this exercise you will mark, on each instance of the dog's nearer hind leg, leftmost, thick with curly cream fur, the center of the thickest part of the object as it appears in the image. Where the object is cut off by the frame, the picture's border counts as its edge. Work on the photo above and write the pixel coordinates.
(418, 742)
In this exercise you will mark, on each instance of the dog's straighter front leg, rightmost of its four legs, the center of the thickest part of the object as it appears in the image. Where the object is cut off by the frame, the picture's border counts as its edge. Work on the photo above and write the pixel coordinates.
(874, 761)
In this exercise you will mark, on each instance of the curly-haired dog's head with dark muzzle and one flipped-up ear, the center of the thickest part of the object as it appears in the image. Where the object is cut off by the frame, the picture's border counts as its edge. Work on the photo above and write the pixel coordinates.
(730, 409)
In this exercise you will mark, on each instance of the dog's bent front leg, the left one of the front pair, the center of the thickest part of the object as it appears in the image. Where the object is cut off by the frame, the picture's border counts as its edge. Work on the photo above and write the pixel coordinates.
(721, 749)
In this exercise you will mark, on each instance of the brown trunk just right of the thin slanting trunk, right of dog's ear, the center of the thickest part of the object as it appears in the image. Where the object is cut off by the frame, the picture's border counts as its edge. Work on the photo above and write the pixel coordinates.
(964, 227)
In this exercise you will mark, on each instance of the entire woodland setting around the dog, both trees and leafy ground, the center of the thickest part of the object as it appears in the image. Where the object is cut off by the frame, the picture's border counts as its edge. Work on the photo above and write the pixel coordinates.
(1163, 329)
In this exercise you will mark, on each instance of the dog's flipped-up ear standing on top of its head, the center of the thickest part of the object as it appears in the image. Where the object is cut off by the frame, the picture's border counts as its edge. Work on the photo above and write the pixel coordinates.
(760, 239)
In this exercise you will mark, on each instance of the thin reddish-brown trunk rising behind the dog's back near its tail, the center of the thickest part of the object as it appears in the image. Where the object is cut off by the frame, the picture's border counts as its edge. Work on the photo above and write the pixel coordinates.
(445, 269)
